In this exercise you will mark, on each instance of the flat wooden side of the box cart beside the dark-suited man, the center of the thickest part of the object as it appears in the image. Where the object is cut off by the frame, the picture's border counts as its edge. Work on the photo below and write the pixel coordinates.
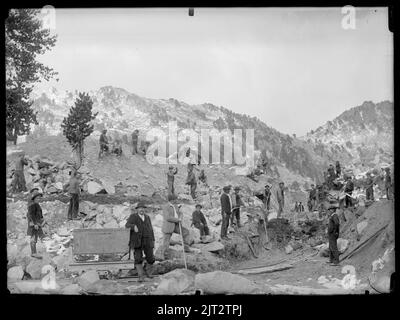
(101, 241)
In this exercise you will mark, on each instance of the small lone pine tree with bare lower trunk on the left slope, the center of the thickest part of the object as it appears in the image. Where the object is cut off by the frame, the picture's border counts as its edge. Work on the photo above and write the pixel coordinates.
(77, 126)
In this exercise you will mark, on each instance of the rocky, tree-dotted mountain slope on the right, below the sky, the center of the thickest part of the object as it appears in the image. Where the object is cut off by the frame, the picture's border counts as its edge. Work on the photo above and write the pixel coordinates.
(361, 136)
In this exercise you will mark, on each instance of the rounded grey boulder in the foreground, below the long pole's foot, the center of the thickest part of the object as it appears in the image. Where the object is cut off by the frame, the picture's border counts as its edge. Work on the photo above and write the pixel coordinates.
(175, 282)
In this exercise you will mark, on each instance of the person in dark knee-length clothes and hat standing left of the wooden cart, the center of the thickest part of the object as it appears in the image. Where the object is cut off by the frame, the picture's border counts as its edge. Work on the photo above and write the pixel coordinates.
(35, 222)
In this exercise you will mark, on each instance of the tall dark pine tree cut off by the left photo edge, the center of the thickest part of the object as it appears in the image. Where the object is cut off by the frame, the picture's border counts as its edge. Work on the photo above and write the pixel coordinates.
(25, 39)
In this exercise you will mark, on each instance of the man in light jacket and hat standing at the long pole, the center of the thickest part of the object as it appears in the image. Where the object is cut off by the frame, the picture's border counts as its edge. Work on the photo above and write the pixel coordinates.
(172, 217)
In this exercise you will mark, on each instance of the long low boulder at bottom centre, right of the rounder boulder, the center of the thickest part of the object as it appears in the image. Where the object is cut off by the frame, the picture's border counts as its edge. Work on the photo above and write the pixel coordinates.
(220, 282)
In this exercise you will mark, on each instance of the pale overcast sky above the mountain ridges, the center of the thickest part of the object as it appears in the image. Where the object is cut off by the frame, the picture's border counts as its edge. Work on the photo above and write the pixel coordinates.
(295, 68)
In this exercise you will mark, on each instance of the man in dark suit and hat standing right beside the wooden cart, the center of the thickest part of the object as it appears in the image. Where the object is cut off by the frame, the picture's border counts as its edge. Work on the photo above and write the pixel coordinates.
(141, 240)
